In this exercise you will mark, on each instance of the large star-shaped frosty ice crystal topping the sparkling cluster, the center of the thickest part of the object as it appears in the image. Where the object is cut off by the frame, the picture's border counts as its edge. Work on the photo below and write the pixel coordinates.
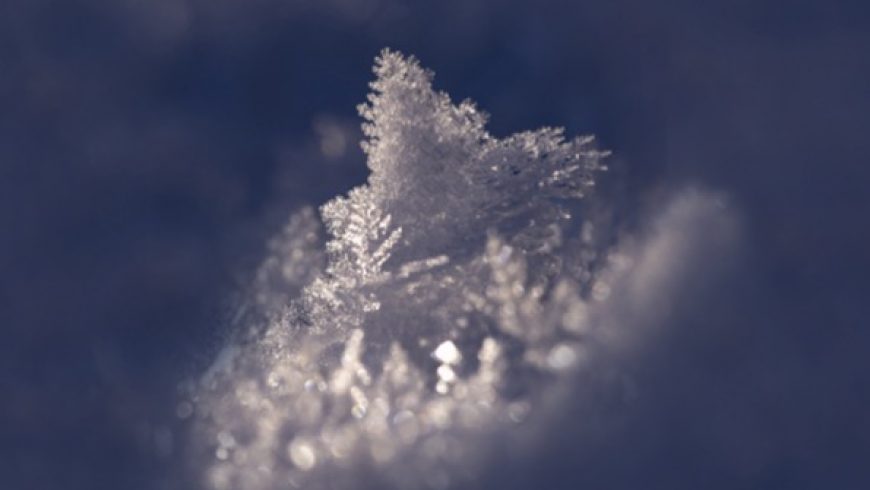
(444, 179)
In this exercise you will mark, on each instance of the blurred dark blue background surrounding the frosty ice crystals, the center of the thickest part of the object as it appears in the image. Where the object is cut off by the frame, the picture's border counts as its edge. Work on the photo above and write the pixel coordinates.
(149, 148)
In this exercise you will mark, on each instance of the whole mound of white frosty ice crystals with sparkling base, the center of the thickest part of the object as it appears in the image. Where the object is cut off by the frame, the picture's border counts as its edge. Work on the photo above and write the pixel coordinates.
(444, 298)
